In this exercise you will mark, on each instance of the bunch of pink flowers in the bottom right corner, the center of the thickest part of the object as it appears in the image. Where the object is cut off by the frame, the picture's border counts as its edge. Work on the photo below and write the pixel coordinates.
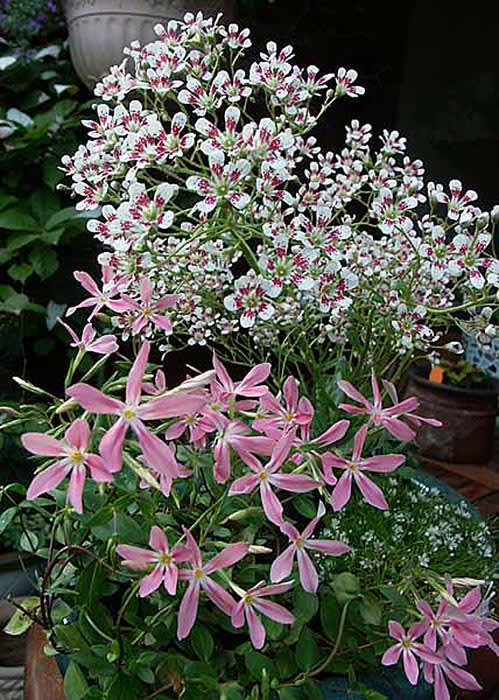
(440, 641)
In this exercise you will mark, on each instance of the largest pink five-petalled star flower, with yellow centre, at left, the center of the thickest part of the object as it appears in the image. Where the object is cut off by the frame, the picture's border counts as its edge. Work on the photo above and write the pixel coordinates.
(132, 414)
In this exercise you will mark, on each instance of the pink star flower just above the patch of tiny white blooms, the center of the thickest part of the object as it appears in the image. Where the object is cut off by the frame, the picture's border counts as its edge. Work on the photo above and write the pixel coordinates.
(354, 469)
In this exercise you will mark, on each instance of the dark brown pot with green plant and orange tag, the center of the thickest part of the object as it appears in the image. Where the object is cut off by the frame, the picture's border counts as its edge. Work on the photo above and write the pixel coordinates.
(464, 399)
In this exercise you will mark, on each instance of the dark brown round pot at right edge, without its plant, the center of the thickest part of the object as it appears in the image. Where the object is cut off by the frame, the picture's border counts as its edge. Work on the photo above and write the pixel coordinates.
(468, 417)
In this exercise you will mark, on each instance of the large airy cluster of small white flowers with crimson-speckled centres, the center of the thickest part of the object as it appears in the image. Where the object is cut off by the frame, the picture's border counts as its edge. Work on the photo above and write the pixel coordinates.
(255, 228)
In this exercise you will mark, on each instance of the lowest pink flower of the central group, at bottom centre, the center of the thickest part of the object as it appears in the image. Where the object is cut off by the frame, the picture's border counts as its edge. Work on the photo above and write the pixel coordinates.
(251, 601)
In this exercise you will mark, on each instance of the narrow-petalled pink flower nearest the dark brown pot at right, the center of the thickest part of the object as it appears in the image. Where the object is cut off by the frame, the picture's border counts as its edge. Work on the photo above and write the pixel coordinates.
(389, 418)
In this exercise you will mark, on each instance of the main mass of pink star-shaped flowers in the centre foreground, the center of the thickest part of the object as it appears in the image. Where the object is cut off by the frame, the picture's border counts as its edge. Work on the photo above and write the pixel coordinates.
(261, 444)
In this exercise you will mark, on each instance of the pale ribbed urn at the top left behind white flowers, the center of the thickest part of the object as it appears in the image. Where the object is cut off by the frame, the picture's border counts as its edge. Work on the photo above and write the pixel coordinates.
(100, 29)
